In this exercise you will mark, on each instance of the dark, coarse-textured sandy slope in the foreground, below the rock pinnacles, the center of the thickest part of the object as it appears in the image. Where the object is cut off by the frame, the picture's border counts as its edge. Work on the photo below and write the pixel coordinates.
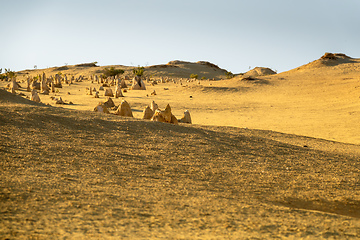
(67, 174)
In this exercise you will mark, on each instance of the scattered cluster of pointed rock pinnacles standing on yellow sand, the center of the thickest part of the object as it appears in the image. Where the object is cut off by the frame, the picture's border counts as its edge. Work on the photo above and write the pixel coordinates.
(46, 85)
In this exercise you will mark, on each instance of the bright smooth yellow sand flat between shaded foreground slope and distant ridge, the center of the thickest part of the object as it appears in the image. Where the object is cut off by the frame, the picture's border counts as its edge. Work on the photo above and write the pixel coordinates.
(321, 102)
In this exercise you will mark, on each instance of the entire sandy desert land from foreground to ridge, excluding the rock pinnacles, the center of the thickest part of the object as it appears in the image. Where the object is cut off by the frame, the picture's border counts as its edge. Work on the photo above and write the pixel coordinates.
(267, 156)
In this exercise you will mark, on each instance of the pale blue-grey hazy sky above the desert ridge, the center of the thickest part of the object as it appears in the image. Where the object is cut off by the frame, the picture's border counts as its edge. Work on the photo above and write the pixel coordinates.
(234, 34)
